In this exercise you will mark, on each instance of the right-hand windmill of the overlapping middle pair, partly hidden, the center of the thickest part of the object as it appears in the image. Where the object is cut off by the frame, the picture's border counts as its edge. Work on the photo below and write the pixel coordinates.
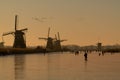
(57, 42)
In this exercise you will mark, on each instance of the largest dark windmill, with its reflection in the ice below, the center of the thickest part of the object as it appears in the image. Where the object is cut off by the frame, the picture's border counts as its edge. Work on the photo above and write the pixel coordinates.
(19, 36)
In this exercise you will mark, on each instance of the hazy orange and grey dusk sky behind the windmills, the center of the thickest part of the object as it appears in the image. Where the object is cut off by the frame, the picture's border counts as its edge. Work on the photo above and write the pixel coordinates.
(81, 22)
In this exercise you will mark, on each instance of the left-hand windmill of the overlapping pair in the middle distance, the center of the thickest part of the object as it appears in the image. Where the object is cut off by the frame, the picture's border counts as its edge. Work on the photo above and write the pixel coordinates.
(49, 45)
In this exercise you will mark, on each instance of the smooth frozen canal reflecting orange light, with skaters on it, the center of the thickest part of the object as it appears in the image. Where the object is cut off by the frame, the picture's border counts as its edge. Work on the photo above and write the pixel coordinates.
(60, 66)
